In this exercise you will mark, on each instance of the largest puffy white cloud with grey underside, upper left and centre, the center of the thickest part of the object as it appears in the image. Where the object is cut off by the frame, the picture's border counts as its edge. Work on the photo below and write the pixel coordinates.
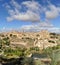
(32, 14)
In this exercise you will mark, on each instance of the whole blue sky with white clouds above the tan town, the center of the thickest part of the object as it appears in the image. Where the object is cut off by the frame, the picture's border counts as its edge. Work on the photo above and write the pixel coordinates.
(30, 15)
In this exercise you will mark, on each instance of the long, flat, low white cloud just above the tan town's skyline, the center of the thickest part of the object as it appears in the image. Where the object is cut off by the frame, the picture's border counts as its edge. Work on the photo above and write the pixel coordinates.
(39, 27)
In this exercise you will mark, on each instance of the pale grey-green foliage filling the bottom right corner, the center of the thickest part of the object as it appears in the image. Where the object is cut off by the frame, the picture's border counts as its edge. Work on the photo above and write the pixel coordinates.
(54, 54)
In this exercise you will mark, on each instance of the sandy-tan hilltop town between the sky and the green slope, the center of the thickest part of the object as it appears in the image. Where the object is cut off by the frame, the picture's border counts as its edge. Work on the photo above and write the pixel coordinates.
(42, 39)
